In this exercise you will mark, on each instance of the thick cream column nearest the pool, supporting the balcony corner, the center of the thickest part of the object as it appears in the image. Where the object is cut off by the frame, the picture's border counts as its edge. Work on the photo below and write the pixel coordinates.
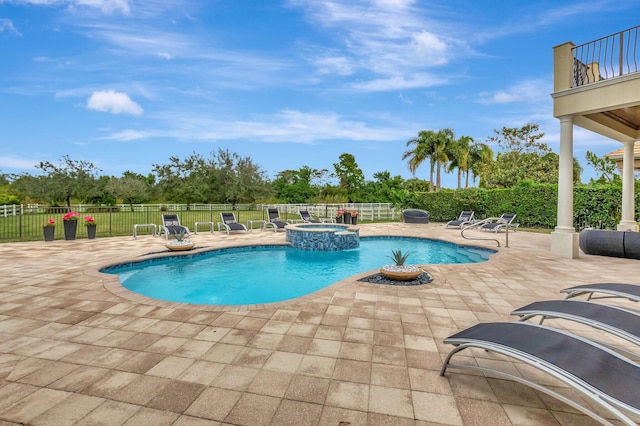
(564, 238)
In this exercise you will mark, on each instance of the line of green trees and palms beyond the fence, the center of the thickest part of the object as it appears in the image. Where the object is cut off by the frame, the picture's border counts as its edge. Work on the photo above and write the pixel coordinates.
(227, 177)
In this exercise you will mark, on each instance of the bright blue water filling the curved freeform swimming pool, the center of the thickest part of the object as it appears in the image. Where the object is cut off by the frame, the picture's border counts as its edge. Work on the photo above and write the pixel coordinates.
(265, 274)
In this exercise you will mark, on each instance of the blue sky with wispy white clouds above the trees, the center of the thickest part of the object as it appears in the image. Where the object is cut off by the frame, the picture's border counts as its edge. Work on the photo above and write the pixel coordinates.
(126, 84)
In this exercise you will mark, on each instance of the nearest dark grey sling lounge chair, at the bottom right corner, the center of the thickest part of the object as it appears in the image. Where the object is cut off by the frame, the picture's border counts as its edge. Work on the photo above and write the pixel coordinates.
(597, 373)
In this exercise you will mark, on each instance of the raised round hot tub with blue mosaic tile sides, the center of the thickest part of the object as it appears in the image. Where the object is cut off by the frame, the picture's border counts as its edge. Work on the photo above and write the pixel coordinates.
(323, 236)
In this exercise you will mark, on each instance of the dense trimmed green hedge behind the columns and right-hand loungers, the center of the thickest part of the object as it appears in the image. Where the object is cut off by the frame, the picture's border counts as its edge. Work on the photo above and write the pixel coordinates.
(535, 205)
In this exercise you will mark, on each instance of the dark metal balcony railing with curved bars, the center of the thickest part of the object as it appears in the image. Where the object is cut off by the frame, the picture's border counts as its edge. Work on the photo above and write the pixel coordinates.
(611, 56)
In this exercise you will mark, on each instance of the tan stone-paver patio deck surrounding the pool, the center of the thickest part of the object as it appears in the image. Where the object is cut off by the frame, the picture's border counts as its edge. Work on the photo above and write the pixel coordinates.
(76, 348)
